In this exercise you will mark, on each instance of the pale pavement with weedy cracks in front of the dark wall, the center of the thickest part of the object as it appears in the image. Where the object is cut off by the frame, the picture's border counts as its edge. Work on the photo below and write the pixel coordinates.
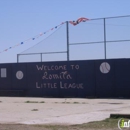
(68, 111)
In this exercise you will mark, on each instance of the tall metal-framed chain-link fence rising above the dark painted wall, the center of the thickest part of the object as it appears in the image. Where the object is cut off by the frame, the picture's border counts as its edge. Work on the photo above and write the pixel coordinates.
(102, 38)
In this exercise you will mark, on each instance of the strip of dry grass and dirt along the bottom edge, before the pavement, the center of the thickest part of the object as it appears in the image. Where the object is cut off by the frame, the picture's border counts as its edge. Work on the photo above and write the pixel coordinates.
(107, 124)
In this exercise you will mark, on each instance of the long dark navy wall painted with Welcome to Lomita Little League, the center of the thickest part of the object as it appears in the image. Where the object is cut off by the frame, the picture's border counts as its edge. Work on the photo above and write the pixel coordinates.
(90, 78)
